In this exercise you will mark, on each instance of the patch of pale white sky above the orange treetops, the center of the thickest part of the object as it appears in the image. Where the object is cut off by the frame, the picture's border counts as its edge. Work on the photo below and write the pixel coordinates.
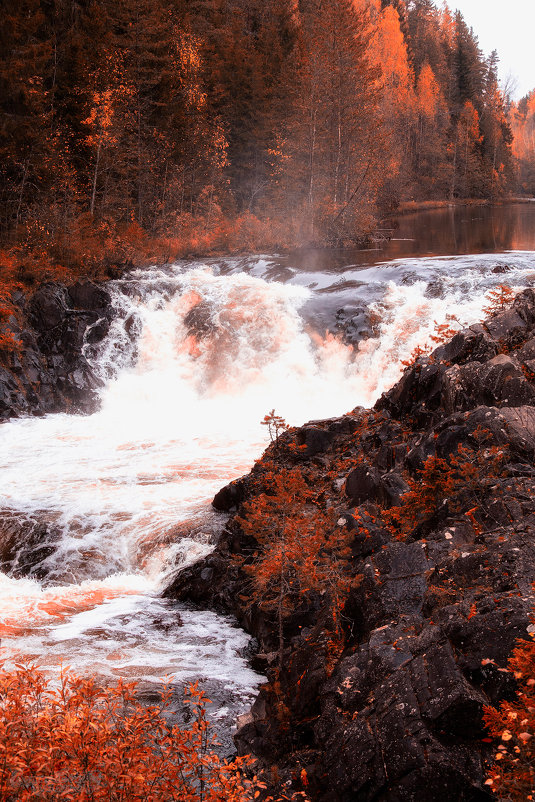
(509, 27)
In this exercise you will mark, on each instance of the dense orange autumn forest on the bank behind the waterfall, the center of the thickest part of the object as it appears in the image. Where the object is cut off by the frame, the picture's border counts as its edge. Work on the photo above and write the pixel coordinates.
(216, 123)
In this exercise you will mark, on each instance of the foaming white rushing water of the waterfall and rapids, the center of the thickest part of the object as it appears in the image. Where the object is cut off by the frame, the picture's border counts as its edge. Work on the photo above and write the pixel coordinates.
(124, 494)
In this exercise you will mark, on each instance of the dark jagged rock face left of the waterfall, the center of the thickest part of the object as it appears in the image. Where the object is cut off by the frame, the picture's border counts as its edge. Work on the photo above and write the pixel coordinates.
(51, 373)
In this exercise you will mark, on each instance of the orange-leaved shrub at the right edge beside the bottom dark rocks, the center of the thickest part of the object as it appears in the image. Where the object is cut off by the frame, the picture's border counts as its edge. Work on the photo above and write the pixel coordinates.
(512, 776)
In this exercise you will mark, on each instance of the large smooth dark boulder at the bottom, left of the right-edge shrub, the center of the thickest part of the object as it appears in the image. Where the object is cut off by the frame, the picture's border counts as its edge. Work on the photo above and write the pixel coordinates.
(405, 700)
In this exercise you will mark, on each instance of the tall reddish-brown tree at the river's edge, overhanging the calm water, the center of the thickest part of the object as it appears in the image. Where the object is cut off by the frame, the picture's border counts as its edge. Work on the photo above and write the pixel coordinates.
(331, 152)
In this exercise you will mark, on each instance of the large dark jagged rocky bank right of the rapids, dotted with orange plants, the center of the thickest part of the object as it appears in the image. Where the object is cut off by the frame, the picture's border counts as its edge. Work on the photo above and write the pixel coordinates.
(441, 599)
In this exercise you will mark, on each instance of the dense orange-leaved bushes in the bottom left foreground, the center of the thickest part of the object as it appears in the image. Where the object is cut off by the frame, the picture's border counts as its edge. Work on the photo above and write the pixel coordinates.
(82, 742)
